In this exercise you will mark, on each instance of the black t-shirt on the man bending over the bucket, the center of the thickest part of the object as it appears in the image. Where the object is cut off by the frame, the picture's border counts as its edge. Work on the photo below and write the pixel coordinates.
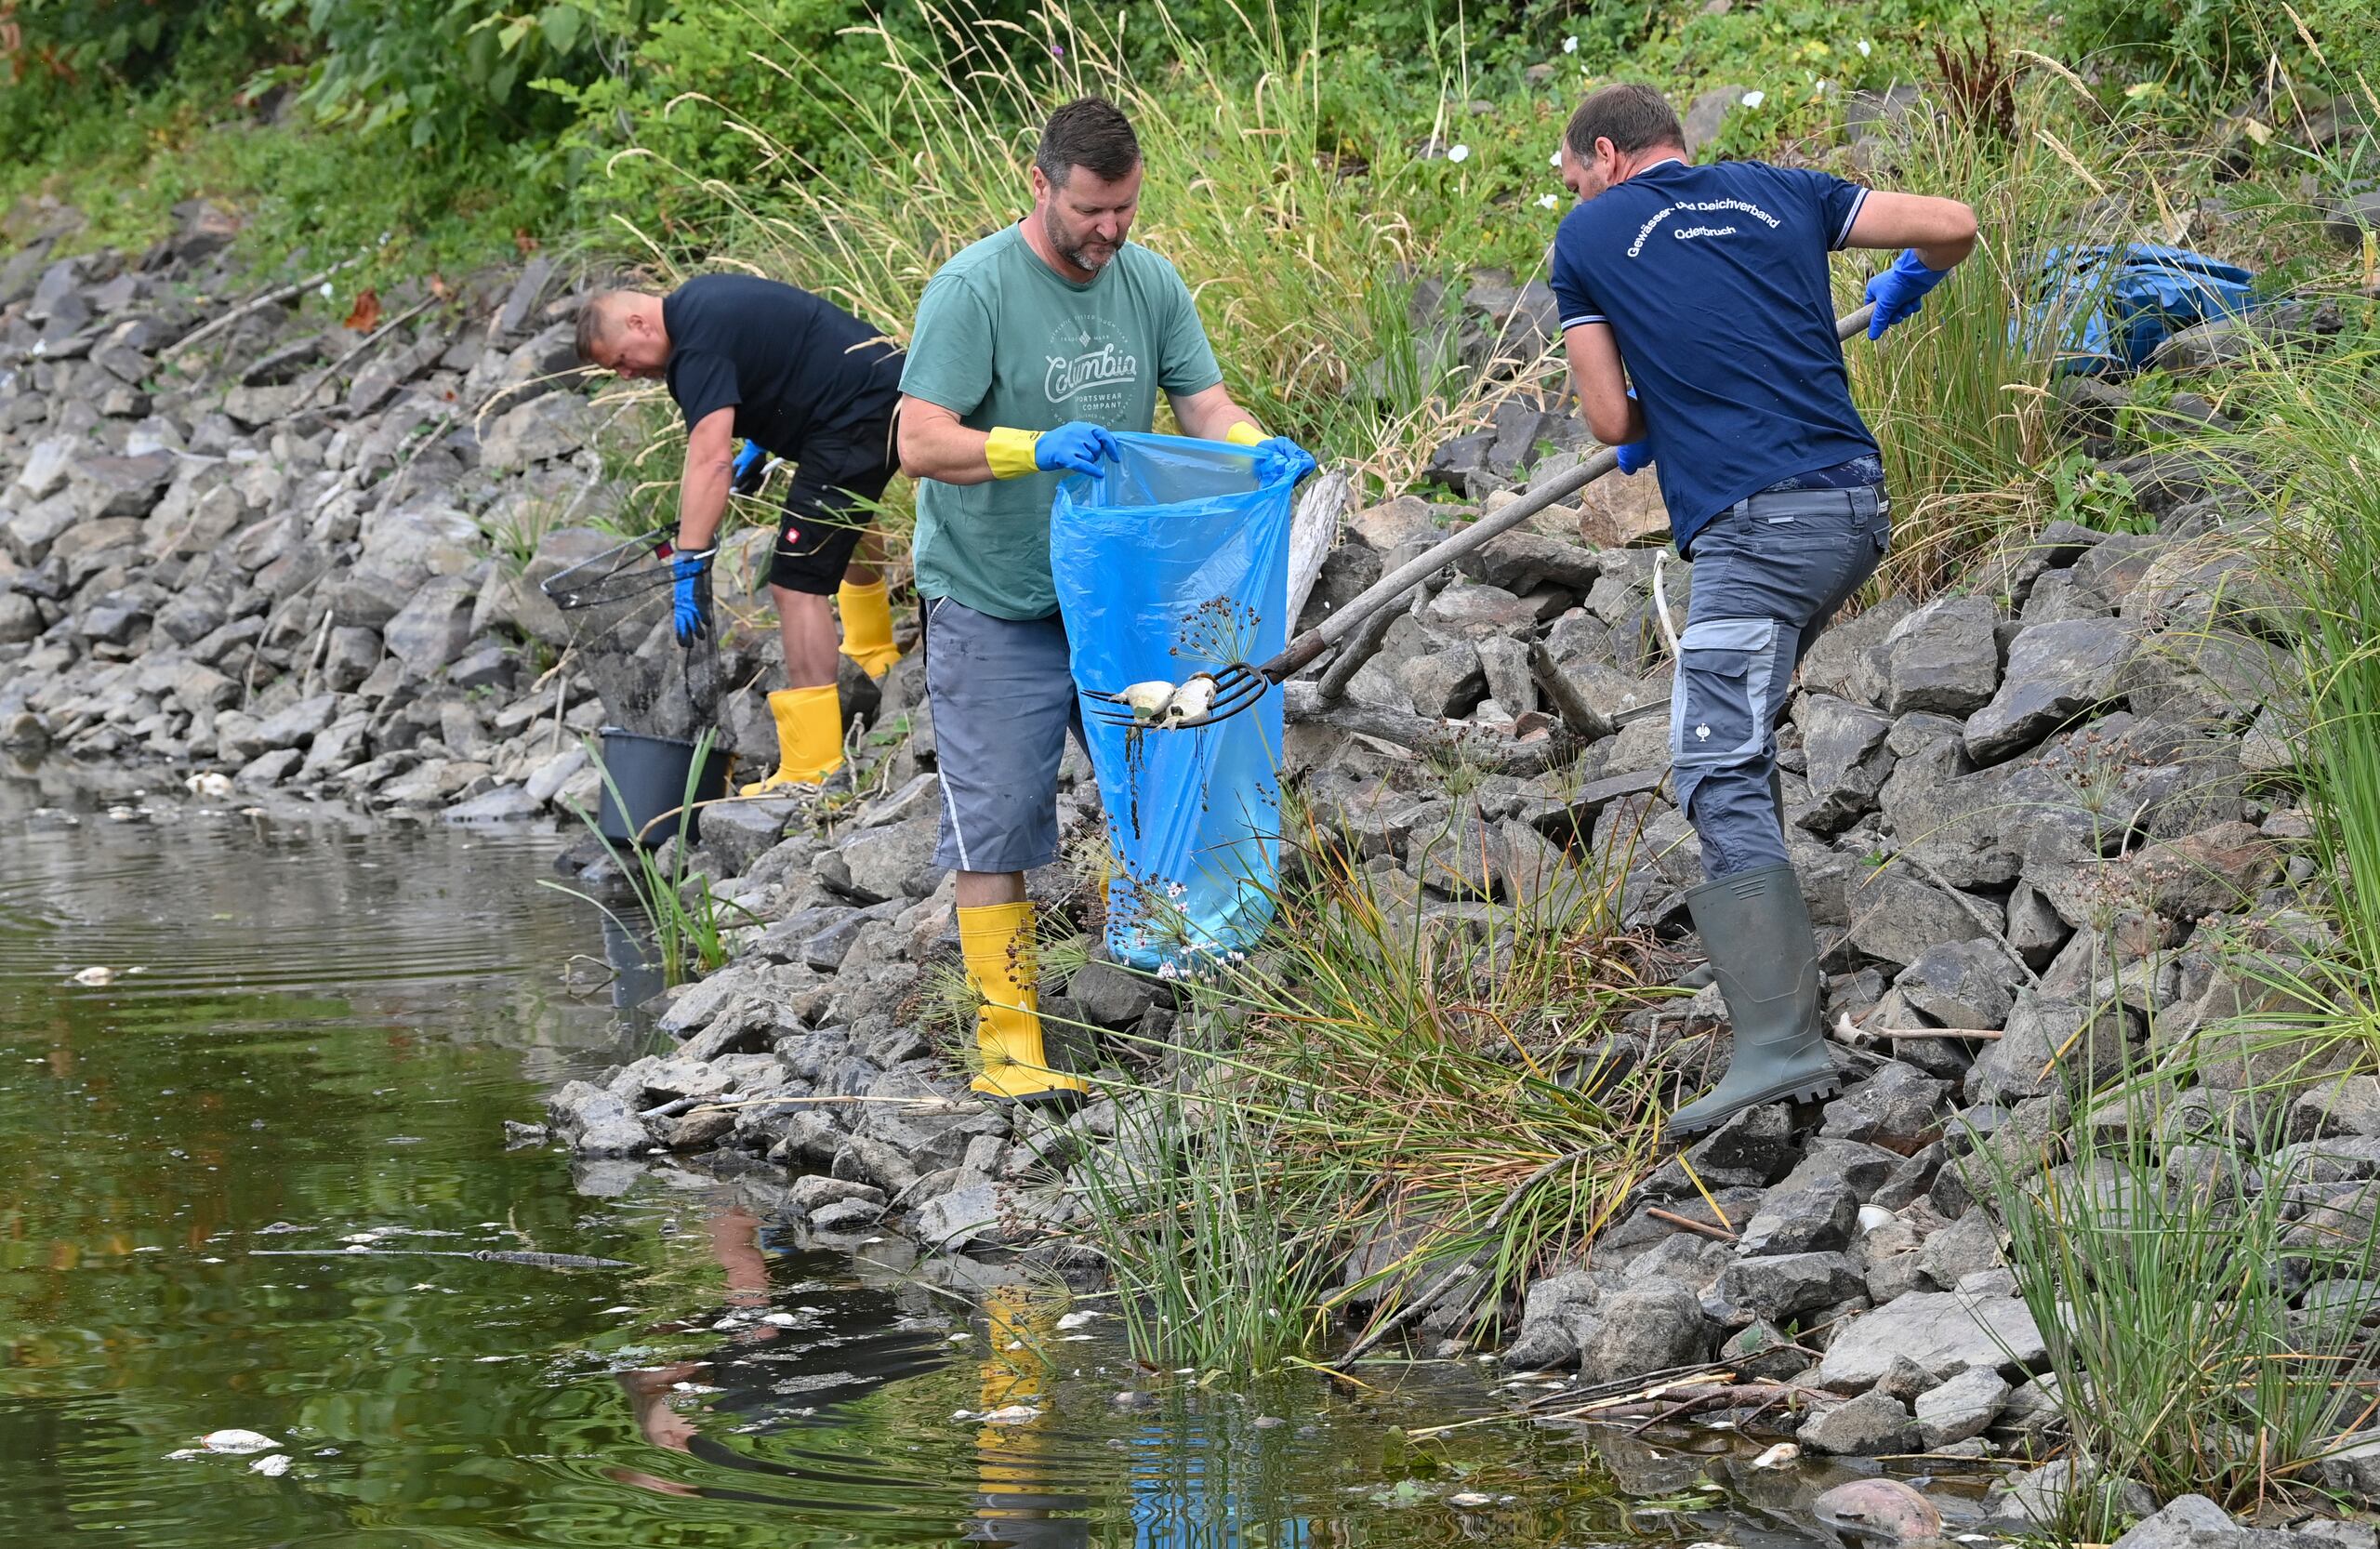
(789, 363)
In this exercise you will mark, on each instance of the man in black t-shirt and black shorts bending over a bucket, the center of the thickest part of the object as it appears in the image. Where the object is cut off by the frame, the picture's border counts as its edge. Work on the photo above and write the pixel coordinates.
(806, 382)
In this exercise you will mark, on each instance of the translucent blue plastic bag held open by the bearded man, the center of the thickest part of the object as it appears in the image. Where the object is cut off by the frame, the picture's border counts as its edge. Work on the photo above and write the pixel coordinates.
(1172, 563)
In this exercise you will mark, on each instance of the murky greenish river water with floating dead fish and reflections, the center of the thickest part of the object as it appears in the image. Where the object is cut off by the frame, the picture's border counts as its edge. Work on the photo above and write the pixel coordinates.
(311, 1039)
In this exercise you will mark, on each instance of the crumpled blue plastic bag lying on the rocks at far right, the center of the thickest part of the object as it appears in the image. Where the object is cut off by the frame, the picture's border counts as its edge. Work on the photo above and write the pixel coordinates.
(2110, 308)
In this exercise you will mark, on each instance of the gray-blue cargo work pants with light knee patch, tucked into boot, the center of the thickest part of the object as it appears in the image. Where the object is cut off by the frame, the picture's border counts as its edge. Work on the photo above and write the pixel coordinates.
(1770, 572)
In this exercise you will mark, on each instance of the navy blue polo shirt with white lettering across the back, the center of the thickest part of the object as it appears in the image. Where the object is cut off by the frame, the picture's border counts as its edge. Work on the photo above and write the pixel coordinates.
(1715, 284)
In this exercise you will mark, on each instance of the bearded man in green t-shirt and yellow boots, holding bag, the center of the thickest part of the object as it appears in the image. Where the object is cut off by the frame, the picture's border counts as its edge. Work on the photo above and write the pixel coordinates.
(1029, 351)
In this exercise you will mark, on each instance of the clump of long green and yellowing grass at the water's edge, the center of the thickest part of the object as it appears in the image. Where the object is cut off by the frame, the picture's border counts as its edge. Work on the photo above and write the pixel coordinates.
(1422, 1089)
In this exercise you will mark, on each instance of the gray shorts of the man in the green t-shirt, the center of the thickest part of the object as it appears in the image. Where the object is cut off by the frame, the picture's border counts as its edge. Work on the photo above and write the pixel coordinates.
(1003, 703)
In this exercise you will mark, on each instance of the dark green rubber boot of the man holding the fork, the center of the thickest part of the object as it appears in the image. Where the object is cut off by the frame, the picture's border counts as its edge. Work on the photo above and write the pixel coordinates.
(1767, 960)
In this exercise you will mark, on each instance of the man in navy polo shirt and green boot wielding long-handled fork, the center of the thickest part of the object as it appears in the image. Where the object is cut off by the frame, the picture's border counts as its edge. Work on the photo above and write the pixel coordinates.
(1701, 327)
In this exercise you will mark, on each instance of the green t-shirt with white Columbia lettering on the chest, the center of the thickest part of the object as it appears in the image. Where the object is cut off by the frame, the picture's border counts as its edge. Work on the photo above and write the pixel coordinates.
(1003, 341)
